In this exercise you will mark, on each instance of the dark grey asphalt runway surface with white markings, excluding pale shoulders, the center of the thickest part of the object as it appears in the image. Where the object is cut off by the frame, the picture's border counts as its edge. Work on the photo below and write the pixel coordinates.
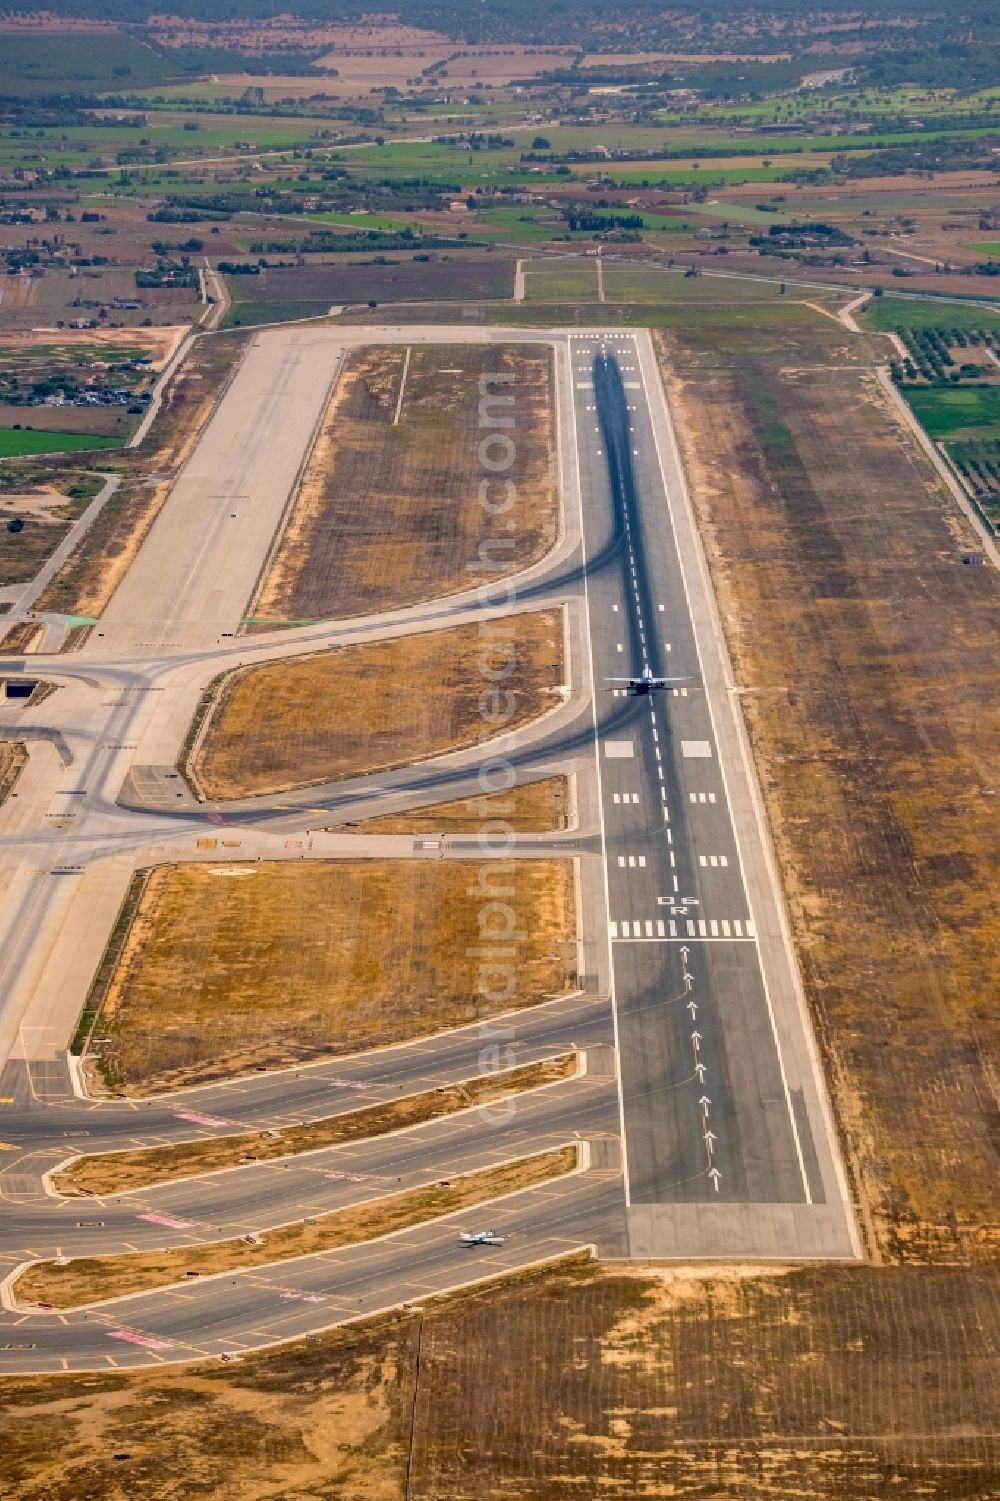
(706, 1114)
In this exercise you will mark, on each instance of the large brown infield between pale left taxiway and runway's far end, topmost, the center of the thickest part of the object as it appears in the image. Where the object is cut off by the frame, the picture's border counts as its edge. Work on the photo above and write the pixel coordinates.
(388, 513)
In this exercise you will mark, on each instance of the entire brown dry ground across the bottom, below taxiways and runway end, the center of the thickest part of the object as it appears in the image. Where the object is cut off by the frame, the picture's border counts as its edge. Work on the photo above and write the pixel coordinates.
(822, 1383)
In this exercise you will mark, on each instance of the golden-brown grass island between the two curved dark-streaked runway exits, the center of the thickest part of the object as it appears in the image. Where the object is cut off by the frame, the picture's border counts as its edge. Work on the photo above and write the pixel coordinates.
(369, 708)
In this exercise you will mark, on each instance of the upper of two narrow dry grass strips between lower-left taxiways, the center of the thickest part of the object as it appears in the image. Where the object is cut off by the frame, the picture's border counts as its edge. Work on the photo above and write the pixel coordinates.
(122, 1172)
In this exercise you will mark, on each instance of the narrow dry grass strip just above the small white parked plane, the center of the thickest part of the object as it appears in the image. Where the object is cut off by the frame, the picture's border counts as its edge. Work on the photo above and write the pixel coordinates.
(89, 1280)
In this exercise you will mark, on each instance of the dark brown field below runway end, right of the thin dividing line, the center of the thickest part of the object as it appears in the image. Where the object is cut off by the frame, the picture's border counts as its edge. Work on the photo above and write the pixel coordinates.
(822, 1383)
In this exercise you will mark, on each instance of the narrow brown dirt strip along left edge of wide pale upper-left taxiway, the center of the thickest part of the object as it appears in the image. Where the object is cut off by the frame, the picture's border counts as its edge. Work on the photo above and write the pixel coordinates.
(91, 576)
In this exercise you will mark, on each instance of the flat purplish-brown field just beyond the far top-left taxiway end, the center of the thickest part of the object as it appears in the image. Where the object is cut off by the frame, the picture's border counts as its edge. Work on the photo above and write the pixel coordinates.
(279, 296)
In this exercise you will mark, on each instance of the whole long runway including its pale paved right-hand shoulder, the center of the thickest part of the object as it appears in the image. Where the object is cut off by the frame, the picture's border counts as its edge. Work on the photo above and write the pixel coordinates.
(718, 1107)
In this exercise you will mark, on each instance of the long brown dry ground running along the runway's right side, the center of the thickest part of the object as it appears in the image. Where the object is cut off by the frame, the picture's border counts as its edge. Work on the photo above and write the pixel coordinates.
(866, 654)
